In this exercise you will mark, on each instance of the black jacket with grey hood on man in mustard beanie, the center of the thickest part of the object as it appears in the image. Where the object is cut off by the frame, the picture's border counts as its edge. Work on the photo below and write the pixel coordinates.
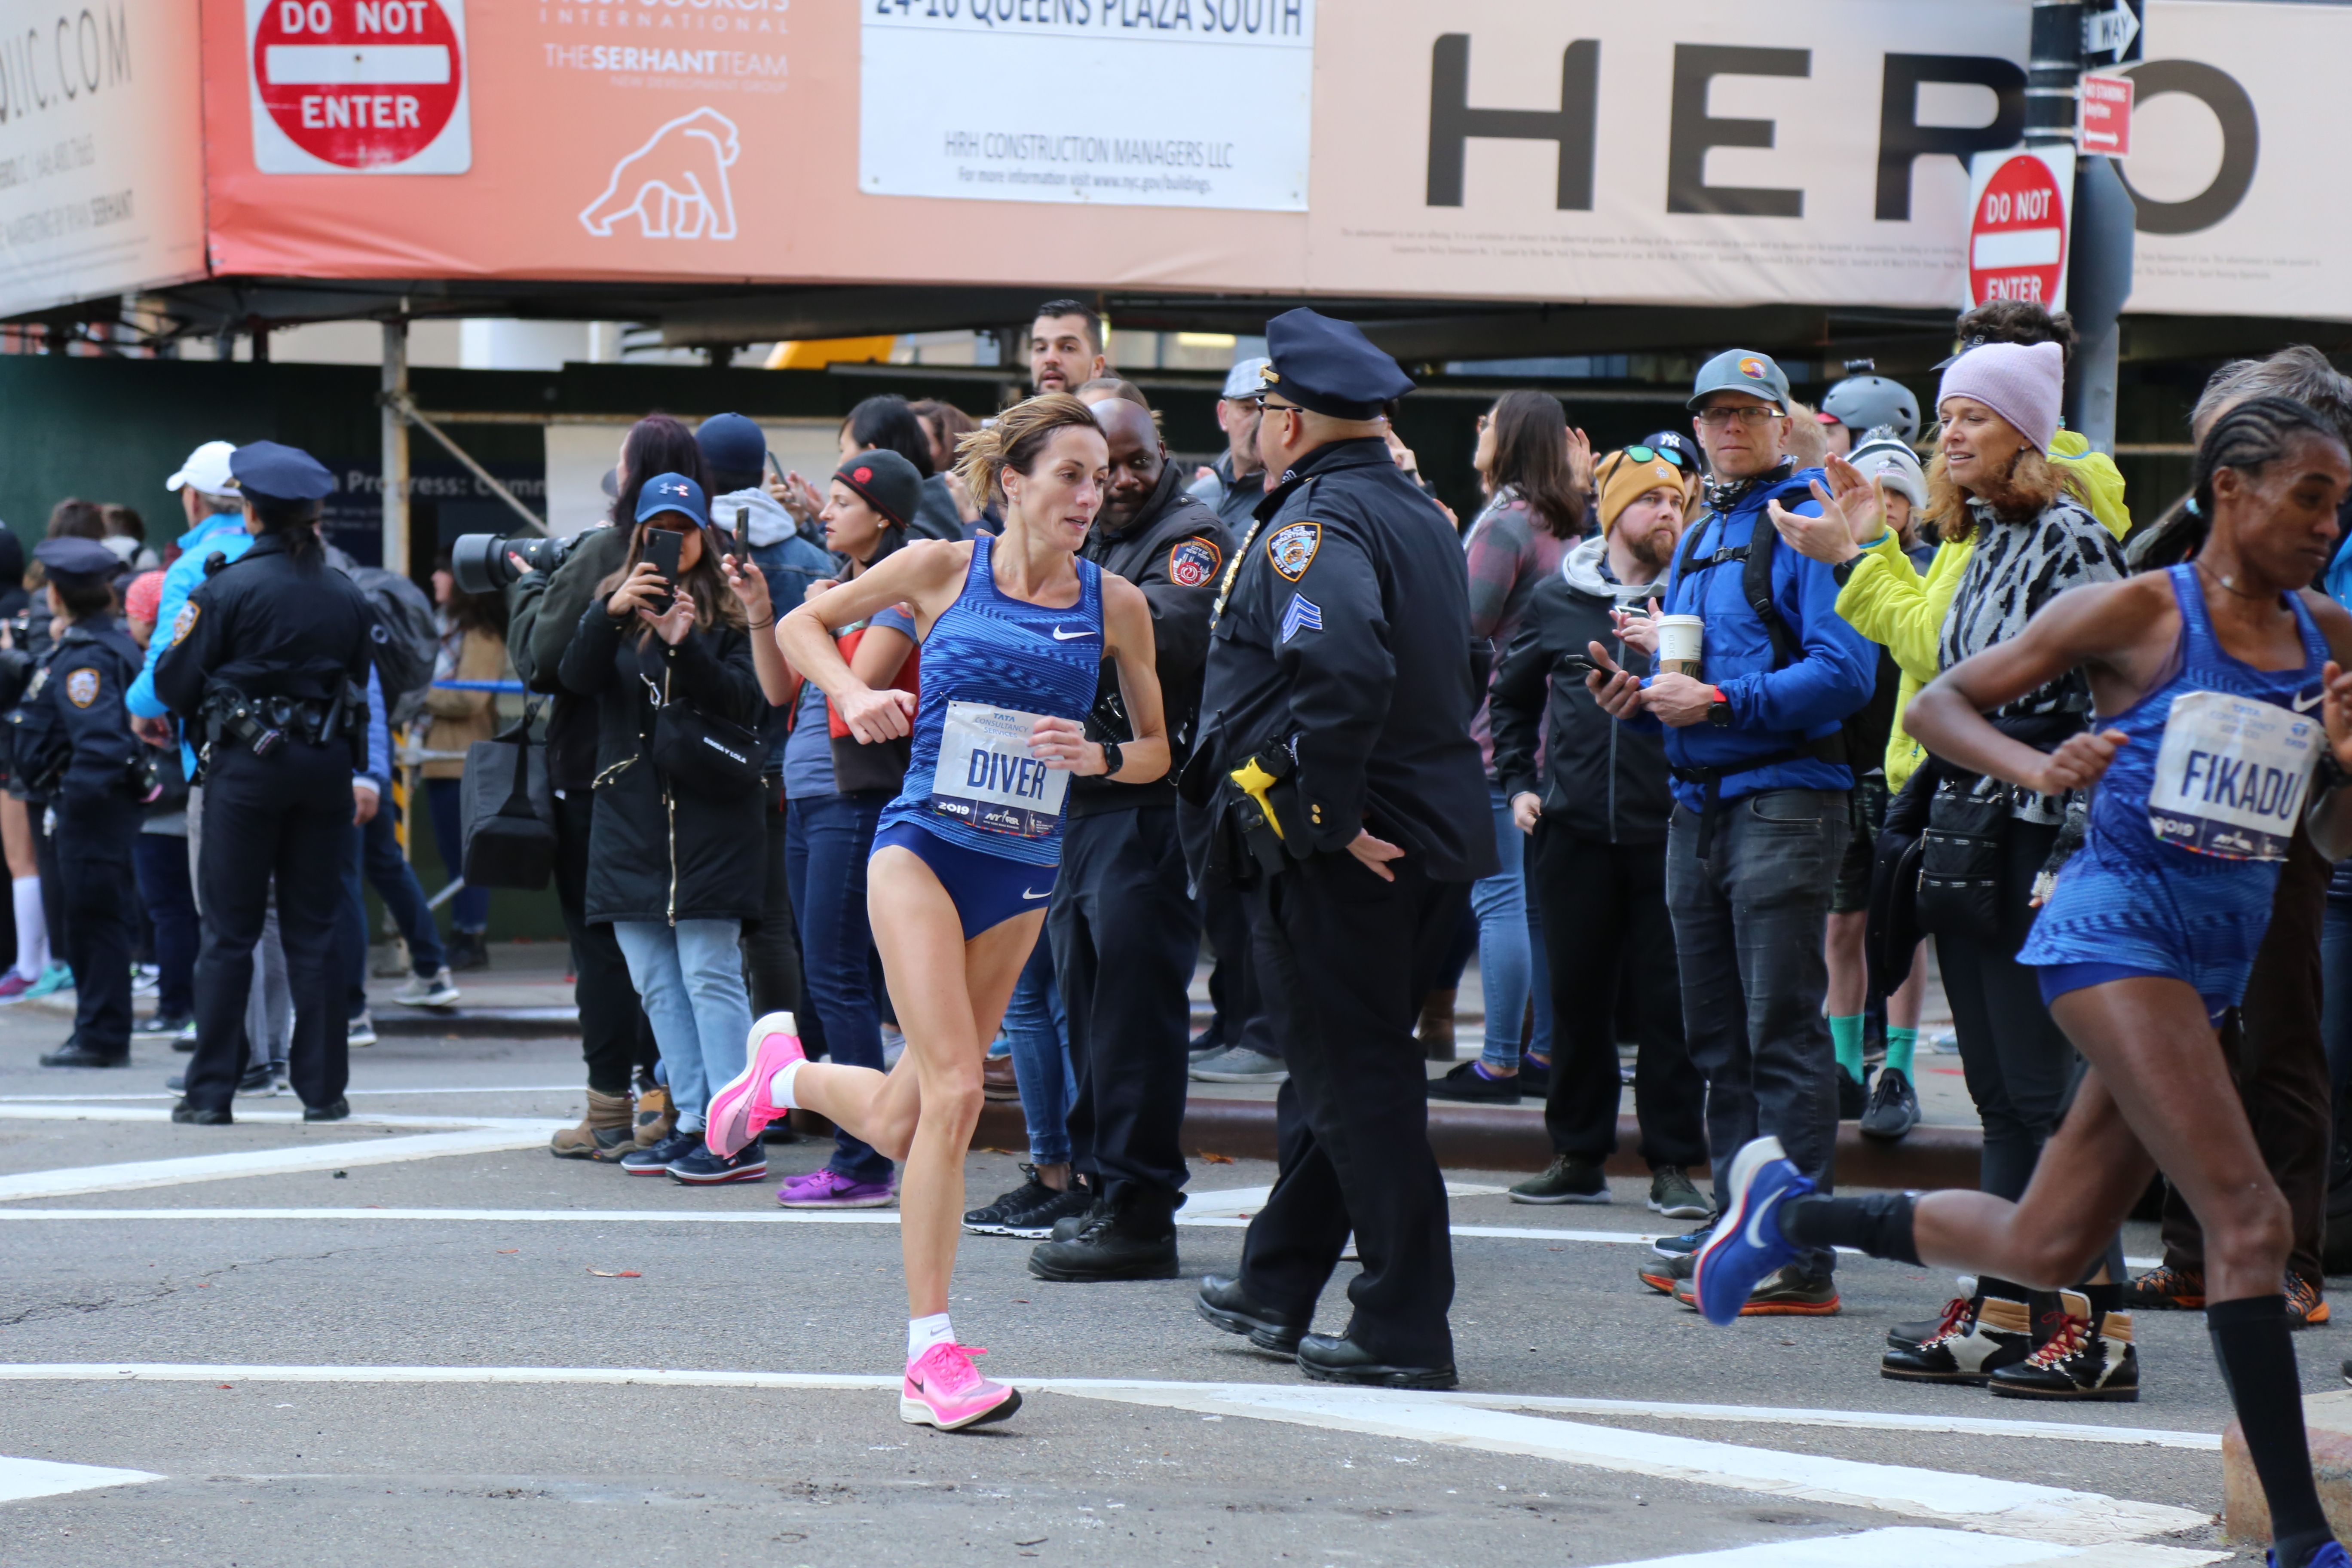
(1601, 779)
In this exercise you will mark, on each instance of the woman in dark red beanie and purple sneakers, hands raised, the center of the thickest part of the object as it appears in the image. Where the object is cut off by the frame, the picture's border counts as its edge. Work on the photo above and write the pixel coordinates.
(834, 793)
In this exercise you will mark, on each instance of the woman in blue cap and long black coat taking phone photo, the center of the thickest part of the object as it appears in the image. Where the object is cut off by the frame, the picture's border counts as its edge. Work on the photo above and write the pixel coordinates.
(667, 862)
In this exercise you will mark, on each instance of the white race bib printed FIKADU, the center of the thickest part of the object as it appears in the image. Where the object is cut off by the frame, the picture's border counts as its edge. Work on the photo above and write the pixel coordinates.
(2231, 777)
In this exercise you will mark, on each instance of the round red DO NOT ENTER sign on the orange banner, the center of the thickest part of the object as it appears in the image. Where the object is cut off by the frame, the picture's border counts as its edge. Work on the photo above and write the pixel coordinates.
(359, 86)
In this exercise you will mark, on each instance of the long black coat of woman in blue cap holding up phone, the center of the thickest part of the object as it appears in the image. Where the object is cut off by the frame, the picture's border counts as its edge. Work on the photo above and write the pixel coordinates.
(655, 852)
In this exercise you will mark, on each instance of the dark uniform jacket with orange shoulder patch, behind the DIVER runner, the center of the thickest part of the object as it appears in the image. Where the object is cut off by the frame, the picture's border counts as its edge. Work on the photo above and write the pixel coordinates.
(1175, 551)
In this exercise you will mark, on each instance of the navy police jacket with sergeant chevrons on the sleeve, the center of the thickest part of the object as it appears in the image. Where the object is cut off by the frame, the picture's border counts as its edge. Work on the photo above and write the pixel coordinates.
(1349, 634)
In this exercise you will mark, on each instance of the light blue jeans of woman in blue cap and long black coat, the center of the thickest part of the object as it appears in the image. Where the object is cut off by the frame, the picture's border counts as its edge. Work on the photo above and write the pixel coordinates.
(690, 979)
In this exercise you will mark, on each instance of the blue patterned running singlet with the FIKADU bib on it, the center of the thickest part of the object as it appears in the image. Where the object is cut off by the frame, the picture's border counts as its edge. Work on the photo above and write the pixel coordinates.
(2193, 817)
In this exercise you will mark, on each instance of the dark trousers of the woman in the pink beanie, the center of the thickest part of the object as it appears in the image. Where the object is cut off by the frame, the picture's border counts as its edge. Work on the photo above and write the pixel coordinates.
(2017, 1059)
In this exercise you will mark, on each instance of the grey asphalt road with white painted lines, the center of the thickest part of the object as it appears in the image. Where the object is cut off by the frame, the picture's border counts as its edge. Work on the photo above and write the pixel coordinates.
(422, 1348)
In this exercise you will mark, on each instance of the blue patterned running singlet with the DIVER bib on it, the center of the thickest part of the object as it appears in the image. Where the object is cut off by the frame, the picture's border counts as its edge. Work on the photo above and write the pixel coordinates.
(991, 669)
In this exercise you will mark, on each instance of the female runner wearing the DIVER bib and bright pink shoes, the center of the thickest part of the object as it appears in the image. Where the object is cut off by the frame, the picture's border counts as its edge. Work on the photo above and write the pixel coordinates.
(1015, 631)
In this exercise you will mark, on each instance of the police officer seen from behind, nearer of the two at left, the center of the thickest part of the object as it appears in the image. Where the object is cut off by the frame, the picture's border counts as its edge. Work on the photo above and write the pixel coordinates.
(269, 666)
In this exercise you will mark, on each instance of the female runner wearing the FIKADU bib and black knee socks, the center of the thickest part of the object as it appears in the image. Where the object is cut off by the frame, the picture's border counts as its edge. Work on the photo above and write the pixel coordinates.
(2231, 725)
